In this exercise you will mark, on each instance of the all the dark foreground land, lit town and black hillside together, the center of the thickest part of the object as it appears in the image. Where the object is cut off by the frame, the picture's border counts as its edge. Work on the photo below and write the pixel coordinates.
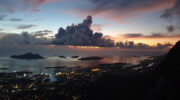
(156, 79)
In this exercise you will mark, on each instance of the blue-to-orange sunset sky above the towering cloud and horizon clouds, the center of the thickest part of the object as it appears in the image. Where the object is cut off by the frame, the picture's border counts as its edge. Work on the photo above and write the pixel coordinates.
(147, 21)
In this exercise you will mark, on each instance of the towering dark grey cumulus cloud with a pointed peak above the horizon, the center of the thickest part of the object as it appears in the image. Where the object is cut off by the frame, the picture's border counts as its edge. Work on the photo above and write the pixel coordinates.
(81, 35)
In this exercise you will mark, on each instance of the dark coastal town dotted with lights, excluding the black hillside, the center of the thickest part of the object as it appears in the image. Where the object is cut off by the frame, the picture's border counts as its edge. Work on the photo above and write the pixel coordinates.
(21, 83)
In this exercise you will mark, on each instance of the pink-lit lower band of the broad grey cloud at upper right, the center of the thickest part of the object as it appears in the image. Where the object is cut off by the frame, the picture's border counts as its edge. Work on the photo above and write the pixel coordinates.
(121, 15)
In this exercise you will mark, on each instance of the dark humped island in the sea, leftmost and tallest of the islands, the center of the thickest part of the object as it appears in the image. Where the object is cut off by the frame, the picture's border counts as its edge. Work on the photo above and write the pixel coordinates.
(28, 56)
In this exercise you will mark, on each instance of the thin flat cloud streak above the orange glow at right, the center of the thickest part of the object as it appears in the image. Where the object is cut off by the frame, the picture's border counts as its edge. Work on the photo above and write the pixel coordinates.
(153, 35)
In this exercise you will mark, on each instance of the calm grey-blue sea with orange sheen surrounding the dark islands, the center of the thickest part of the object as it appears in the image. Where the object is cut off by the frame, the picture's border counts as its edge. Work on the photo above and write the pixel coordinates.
(51, 53)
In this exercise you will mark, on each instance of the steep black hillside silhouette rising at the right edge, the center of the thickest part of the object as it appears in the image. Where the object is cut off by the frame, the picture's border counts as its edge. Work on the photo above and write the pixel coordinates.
(168, 77)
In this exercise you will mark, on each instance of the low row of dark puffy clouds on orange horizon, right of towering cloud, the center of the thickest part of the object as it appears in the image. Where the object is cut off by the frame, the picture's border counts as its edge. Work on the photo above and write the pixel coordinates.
(131, 44)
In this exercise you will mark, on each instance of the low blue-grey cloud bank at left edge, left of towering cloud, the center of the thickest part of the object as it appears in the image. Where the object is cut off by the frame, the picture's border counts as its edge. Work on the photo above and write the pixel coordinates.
(24, 38)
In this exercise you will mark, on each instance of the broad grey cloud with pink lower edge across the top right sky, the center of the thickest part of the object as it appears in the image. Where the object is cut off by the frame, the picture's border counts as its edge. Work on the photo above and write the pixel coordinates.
(120, 10)
